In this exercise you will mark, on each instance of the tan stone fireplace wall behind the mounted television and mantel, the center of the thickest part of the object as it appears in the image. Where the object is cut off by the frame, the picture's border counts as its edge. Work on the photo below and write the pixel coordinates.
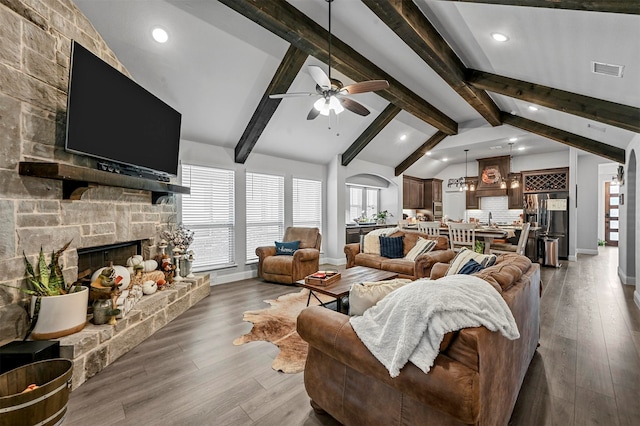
(35, 43)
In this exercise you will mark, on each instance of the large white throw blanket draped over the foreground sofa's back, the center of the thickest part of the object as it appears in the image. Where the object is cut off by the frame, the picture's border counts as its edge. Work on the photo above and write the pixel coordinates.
(410, 323)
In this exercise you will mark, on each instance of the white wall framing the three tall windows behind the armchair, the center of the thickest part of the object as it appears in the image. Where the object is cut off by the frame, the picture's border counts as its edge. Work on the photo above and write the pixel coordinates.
(220, 157)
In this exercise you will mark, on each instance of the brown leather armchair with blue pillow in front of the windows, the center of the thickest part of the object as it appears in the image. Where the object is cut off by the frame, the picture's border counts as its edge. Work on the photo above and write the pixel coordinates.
(289, 269)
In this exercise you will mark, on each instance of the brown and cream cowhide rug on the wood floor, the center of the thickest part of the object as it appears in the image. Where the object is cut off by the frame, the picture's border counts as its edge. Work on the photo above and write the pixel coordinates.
(277, 324)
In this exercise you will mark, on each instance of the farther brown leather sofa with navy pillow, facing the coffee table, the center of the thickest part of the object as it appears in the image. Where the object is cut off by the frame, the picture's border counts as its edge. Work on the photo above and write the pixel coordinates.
(419, 268)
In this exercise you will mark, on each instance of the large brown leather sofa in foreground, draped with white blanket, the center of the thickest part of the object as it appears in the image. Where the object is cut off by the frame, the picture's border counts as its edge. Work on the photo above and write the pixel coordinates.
(475, 379)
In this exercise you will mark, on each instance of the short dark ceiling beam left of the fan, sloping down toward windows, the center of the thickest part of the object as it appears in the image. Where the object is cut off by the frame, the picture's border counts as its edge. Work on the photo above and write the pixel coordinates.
(285, 74)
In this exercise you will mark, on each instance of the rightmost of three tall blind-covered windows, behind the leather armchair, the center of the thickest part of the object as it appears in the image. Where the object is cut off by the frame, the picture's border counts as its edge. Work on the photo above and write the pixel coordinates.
(307, 203)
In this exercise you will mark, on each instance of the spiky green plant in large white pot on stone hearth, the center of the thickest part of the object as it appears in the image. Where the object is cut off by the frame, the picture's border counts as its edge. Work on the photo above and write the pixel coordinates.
(57, 309)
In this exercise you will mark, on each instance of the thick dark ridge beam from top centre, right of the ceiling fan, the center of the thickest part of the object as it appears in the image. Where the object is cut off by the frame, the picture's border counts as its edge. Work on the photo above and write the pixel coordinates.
(410, 24)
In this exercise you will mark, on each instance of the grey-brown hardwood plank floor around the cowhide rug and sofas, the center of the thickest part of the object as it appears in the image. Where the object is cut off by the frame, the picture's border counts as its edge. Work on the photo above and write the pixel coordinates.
(586, 371)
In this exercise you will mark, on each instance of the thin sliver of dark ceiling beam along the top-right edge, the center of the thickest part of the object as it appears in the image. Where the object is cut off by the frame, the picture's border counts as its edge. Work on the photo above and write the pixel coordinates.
(630, 7)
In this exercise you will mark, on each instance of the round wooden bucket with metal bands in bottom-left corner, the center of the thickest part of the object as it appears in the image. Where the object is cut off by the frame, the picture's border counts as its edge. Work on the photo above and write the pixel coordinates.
(46, 405)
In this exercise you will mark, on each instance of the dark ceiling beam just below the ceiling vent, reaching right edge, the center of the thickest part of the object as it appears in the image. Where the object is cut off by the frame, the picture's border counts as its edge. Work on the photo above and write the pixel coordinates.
(618, 115)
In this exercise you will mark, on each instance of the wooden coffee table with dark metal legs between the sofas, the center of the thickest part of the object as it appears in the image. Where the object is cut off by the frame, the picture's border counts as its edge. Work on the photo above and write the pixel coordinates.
(340, 288)
